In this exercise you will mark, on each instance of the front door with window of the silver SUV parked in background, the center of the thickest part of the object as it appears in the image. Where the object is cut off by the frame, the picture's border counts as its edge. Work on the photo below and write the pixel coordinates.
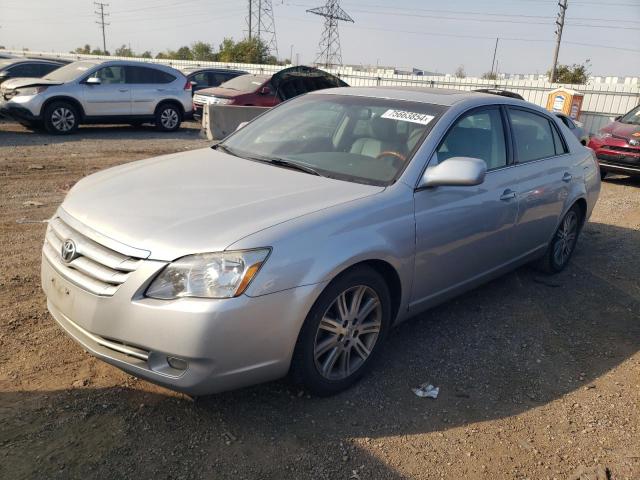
(112, 97)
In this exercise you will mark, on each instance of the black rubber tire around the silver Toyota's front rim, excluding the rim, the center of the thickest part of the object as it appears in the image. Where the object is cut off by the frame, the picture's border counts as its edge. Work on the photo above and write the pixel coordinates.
(304, 370)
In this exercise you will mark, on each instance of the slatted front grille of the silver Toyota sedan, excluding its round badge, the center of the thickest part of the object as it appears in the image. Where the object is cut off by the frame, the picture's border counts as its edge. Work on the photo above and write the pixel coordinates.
(96, 268)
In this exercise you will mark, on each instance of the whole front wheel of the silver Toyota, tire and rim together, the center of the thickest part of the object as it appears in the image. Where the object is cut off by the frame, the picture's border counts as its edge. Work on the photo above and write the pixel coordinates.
(335, 348)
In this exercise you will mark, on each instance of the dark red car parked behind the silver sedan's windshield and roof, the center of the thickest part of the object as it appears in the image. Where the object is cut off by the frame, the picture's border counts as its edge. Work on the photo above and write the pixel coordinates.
(266, 90)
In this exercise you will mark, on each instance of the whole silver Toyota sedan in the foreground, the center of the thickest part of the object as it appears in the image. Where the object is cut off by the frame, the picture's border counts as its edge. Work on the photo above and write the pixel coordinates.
(293, 246)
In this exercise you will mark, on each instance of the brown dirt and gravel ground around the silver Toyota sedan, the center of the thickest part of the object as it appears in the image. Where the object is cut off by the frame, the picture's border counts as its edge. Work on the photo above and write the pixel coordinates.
(539, 376)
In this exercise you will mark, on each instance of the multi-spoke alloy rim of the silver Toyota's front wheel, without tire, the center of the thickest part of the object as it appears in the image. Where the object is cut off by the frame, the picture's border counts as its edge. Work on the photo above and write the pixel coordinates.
(348, 332)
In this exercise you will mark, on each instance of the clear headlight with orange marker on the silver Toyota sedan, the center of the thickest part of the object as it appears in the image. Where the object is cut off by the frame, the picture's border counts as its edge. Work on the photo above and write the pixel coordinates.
(208, 275)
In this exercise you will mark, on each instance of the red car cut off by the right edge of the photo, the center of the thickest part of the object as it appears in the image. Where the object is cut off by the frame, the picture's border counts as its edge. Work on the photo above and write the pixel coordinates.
(617, 145)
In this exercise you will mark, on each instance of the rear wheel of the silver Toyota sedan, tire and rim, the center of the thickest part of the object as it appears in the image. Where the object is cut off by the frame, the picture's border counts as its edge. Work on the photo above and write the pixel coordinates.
(563, 243)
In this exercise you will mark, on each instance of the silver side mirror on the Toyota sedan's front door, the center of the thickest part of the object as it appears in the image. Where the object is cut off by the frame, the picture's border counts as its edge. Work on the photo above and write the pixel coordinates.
(455, 172)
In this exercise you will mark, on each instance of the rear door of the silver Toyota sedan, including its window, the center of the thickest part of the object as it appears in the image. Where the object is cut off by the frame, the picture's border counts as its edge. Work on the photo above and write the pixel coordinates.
(543, 174)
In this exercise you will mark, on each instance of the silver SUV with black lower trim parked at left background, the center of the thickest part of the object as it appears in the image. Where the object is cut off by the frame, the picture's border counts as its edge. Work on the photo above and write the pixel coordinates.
(98, 91)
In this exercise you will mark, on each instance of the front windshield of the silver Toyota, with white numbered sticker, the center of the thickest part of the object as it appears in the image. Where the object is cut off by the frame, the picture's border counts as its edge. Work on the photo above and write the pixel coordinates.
(361, 139)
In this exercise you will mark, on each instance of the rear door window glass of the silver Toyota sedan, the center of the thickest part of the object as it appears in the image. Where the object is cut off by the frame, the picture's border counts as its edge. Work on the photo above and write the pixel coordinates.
(533, 136)
